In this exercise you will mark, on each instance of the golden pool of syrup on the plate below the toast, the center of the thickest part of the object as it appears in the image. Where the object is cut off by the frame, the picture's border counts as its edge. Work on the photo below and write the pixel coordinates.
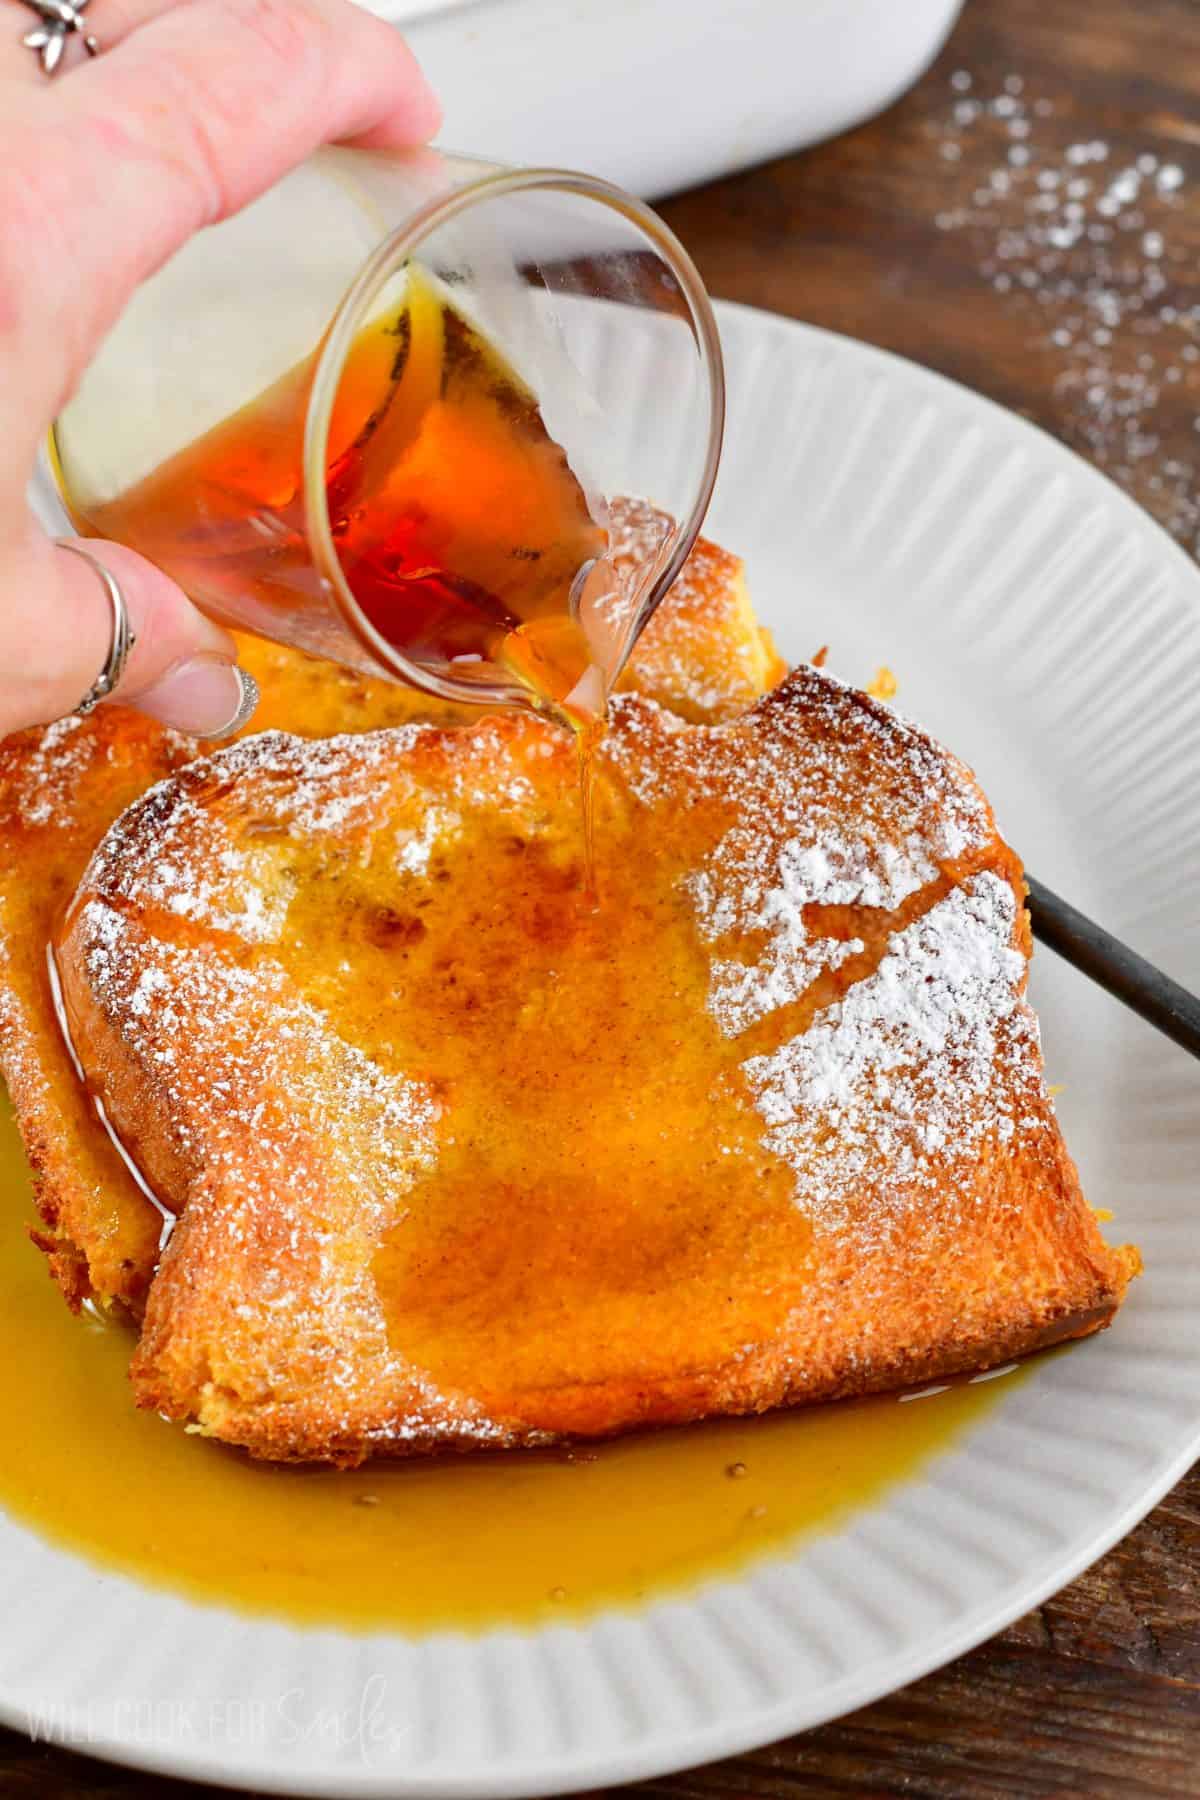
(461, 1542)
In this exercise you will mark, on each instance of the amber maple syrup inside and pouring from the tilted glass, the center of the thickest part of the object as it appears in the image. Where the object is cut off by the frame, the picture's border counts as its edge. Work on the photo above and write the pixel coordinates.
(460, 525)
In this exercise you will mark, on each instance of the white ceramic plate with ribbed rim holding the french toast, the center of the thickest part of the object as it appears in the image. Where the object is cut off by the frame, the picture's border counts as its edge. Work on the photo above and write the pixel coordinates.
(1052, 634)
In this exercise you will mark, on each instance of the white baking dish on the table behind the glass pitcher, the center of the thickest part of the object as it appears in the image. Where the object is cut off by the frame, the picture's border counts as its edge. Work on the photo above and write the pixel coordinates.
(663, 94)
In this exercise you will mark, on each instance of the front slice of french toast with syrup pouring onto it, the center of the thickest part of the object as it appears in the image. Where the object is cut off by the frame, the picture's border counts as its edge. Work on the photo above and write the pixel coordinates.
(460, 1158)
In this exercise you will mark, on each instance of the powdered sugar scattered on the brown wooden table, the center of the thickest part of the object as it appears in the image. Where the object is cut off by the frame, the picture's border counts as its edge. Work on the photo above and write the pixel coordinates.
(1079, 233)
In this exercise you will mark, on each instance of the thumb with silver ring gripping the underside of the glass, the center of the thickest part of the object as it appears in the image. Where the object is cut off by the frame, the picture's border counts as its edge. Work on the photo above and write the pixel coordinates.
(57, 634)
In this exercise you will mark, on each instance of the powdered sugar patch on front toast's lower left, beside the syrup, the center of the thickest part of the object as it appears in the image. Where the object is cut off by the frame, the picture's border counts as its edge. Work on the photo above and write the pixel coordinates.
(303, 1146)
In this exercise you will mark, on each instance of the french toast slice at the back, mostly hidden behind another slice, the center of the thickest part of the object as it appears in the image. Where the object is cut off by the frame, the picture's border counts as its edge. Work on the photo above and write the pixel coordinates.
(62, 787)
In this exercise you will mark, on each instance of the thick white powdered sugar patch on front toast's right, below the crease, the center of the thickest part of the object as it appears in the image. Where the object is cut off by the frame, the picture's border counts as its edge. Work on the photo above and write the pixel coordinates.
(918, 1063)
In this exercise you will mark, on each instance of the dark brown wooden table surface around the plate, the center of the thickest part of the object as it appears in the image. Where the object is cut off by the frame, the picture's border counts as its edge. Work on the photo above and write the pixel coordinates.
(1026, 220)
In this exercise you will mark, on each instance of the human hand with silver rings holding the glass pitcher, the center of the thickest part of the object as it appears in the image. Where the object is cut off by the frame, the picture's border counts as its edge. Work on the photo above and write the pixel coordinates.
(190, 112)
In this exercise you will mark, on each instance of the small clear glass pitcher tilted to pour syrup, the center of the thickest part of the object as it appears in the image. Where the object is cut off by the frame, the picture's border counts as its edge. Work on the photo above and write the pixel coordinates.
(215, 424)
